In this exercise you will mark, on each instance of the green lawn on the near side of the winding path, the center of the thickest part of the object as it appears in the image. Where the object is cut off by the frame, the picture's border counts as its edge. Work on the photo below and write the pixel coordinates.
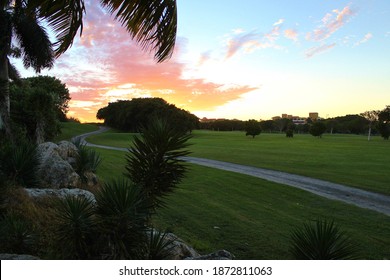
(252, 218)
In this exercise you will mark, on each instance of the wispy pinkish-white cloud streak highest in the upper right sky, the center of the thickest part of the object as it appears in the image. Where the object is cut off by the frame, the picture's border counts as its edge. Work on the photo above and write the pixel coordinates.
(331, 22)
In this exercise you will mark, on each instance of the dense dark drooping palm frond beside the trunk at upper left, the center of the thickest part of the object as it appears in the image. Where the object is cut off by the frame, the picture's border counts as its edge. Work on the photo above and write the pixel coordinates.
(34, 41)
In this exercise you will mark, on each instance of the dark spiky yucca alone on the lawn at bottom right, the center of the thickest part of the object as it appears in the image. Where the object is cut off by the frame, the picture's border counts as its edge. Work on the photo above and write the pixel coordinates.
(322, 240)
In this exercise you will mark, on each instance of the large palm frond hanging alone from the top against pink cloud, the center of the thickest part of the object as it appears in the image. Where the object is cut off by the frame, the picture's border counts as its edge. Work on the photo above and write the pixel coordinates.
(152, 23)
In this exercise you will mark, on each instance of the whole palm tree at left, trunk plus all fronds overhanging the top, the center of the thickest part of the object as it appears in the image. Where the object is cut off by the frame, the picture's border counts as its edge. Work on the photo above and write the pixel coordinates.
(152, 23)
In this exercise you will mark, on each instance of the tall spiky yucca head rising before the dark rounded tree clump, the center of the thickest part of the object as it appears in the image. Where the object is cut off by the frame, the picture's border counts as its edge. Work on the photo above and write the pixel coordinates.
(154, 161)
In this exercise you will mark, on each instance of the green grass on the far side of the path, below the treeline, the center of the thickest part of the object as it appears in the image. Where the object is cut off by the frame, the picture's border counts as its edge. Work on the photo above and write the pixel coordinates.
(344, 159)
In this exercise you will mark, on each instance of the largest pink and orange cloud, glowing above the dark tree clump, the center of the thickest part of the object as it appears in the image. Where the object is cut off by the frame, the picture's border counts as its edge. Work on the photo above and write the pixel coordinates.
(104, 65)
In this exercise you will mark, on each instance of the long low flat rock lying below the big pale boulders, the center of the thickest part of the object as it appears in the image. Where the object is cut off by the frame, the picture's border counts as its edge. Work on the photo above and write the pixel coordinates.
(60, 193)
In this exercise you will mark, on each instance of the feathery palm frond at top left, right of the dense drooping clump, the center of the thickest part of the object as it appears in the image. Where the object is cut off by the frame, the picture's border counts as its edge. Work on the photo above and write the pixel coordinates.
(64, 16)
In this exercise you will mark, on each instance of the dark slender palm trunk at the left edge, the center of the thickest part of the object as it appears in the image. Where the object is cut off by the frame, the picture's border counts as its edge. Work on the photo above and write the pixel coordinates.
(5, 120)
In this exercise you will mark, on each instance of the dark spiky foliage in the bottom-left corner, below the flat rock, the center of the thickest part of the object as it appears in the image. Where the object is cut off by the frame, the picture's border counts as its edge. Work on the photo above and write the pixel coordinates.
(16, 235)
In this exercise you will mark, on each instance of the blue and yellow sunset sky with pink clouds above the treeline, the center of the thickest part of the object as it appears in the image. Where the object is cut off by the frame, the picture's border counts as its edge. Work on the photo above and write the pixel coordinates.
(248, 59)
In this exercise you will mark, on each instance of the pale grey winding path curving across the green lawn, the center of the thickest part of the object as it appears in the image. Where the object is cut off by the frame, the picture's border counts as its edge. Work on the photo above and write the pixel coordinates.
(360, 198)
